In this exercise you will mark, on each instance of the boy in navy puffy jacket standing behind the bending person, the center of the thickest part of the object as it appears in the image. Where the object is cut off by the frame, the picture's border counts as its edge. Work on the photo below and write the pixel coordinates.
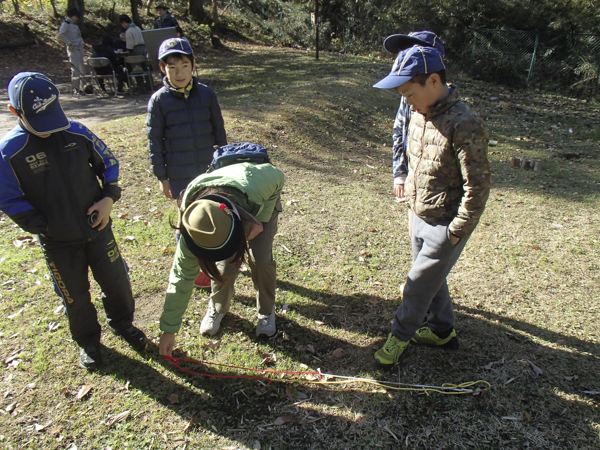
(184, 124)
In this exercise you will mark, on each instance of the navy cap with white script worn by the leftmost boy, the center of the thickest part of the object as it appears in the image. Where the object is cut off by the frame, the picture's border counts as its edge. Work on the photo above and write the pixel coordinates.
(35, 98)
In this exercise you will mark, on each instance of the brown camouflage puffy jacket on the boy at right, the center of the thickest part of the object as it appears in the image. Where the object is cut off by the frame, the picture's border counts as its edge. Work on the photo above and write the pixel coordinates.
(448, 169)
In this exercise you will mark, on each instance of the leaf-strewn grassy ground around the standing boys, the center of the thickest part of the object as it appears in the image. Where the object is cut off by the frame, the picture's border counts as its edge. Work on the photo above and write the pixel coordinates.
(525, 287)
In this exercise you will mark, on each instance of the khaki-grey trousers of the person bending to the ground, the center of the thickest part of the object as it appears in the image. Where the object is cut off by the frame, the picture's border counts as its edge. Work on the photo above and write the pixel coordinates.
(262, 267)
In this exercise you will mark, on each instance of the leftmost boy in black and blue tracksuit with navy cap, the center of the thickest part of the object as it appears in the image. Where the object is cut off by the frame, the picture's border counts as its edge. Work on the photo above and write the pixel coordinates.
(49, 171)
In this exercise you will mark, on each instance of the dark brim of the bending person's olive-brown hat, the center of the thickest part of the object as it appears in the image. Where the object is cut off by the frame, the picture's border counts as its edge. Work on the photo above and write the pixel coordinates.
(231, 247)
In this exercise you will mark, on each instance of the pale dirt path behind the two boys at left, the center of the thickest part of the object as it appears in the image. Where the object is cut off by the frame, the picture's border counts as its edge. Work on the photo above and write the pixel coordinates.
(87, 109)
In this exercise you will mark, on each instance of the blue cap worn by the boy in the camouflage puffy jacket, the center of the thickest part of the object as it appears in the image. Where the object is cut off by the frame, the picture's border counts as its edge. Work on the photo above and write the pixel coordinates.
(413, 61)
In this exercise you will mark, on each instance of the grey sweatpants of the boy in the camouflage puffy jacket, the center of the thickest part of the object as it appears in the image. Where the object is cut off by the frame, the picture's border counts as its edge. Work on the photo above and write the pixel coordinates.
(426, 286)
